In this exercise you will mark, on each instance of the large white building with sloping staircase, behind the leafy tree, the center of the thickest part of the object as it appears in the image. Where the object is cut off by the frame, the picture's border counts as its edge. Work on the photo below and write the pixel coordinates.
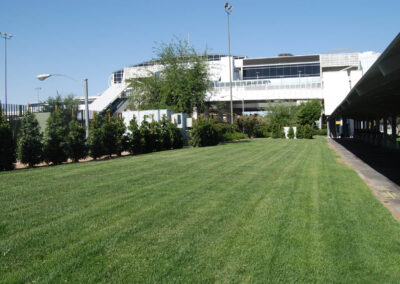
(258, 81)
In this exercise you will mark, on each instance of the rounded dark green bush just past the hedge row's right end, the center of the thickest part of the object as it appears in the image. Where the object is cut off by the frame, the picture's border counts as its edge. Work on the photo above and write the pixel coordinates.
(204, 133)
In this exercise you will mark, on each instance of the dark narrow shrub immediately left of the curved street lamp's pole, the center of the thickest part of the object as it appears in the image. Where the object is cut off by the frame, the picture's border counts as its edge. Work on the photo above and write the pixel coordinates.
(76, 141)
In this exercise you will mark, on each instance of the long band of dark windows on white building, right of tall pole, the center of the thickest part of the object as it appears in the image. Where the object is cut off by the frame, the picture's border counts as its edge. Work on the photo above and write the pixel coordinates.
(281, 71)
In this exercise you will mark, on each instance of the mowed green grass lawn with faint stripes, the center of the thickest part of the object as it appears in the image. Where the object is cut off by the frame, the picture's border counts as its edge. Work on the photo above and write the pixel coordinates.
(260, 211)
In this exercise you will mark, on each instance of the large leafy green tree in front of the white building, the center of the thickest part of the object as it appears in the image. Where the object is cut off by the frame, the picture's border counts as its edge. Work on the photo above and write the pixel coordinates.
(181, 85)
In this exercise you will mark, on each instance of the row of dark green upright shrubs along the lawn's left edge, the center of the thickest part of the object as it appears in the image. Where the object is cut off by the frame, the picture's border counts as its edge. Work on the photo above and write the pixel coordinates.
(62, 140)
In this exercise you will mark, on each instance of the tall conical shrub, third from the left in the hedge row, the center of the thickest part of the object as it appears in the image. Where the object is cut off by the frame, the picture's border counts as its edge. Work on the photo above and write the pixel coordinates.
(55, 144)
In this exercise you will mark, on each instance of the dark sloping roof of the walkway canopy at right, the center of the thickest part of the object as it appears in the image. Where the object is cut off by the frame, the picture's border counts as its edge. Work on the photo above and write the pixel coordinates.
(377, 93)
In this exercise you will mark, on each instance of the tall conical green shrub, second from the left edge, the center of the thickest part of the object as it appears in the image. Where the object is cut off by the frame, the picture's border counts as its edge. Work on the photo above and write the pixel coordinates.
(30, 145)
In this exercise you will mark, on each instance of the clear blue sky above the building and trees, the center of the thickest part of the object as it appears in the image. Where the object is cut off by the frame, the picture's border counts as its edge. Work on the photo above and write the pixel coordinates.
(94, 38)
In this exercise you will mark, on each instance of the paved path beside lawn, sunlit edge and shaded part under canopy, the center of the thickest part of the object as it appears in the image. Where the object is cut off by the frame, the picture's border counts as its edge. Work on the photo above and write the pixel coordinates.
(379, 168)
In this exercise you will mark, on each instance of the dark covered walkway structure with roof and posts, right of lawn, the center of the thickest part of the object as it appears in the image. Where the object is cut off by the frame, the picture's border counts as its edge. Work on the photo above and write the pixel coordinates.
(372, 108)
